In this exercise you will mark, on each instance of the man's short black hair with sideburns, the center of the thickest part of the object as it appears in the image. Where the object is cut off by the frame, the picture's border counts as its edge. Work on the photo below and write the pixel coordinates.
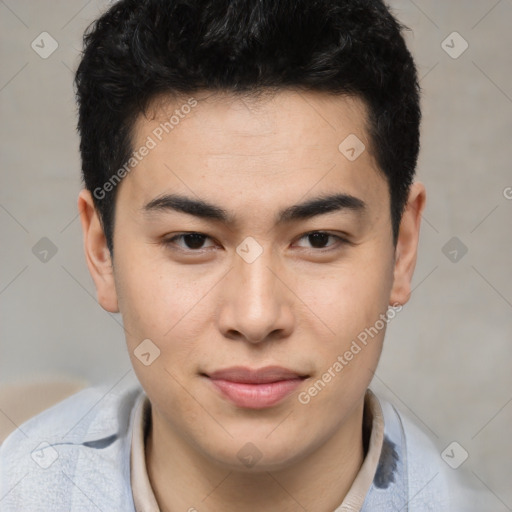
(140, 49)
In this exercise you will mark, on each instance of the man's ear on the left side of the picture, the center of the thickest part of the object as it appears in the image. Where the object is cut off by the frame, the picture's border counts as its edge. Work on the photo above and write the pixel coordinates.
(97, 254)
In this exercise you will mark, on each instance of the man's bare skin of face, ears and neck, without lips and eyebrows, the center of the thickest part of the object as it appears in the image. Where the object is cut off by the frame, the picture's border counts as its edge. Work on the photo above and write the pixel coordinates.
(297, 305)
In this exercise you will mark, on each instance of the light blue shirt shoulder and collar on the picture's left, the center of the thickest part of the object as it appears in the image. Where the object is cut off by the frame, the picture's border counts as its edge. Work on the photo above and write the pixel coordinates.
(81, 442)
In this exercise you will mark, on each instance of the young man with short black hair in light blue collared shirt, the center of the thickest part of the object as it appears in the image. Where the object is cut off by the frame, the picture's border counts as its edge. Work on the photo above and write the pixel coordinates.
(249, 208)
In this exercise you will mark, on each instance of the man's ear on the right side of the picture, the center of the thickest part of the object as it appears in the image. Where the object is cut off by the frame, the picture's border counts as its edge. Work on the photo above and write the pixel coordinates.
(407, 245)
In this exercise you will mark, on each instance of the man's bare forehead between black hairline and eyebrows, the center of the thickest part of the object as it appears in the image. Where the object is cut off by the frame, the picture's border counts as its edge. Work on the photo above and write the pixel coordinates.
(246, 150)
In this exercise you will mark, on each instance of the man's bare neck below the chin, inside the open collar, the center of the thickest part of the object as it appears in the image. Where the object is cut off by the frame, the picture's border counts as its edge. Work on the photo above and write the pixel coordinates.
(184, 479)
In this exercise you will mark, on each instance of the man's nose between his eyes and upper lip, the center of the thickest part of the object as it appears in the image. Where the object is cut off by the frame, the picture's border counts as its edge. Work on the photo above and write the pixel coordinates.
(255, 302)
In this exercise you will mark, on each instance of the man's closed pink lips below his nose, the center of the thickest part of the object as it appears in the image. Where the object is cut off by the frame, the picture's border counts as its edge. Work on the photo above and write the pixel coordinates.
(256, 389)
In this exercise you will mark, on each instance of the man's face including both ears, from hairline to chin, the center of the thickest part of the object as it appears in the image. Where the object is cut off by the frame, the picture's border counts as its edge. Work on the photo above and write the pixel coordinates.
(257, 283)
